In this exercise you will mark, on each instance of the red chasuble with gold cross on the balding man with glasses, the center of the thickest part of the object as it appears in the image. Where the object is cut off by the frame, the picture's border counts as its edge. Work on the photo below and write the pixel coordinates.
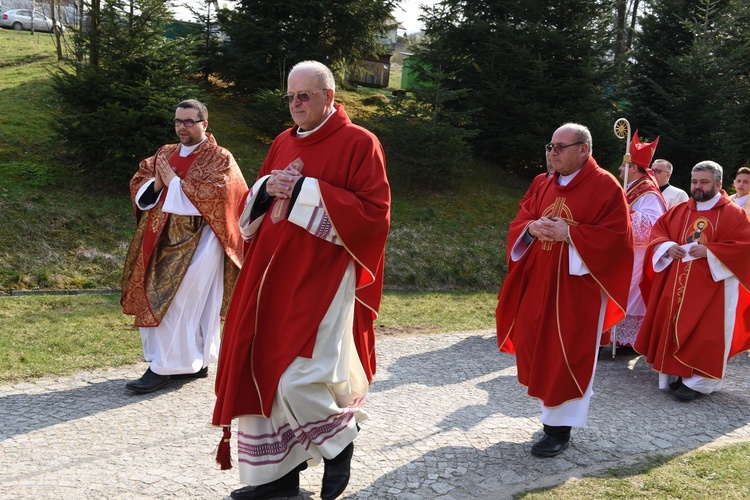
(548, 317)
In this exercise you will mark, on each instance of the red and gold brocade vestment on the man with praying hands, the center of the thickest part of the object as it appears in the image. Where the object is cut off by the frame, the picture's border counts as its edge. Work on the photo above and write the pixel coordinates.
(163, 244)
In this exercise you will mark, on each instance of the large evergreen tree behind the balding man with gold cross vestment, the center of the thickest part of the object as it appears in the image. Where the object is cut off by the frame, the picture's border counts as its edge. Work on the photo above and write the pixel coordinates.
(531, 66)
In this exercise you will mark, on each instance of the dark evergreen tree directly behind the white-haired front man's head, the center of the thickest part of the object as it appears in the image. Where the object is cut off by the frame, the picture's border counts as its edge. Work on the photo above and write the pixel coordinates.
(268, 38)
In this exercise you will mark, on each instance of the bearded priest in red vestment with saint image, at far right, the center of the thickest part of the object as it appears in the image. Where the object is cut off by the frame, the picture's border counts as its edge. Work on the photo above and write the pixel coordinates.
(696, 281)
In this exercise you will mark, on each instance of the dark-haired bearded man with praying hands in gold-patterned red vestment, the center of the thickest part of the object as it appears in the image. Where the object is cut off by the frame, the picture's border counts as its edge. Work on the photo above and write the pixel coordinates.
(186, 250)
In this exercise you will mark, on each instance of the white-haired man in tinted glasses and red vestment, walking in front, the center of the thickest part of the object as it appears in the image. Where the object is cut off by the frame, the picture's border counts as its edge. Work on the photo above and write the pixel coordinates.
(298, 352)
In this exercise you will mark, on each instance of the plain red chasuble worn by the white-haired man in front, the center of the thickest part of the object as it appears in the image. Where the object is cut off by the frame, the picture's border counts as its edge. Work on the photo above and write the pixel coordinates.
(290, 275)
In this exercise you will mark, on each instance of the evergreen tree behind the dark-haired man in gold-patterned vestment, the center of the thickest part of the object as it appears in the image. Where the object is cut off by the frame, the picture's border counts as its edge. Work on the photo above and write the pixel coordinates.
(119, 95)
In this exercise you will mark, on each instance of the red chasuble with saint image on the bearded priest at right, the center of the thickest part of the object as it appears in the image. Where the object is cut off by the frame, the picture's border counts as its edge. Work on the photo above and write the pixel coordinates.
(683, 331)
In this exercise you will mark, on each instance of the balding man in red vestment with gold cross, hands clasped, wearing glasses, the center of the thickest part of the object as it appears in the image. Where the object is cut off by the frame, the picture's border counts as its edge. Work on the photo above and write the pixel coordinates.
(570, 256)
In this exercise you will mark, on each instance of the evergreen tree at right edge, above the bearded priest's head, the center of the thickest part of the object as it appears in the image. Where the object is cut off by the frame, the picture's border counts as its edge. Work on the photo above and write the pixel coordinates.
(691, 82)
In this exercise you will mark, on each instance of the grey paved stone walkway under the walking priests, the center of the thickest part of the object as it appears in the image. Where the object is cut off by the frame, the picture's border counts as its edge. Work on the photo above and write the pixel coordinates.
(448, 420)
